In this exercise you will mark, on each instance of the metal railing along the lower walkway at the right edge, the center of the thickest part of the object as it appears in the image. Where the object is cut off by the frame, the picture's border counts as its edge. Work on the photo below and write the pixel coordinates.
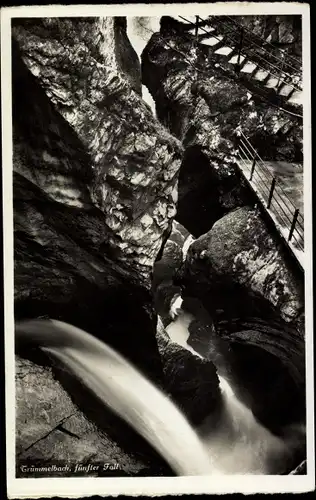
(271, 192)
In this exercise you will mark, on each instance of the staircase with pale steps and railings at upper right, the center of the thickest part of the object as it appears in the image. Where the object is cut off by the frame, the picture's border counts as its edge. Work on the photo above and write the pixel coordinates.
(236, 48)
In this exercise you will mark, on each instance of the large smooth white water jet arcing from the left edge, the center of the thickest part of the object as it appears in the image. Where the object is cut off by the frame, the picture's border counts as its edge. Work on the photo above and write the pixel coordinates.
(124, 390)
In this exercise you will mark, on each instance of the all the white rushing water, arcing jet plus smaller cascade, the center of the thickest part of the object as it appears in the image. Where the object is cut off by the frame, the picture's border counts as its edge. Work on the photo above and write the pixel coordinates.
(236, 444)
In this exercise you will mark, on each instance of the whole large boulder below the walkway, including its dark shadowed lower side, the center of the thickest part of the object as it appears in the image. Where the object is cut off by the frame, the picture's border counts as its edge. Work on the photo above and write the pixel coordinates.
(240, 277)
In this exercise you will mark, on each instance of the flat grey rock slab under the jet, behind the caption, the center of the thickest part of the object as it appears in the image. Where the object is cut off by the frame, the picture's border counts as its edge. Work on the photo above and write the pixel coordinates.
(51, 429)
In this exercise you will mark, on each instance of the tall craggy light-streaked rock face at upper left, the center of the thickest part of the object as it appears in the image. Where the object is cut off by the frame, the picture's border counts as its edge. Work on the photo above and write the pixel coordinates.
(132, 166)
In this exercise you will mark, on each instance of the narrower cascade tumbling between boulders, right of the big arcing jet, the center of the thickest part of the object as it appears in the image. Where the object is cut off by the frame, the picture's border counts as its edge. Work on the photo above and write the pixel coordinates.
(238, 443)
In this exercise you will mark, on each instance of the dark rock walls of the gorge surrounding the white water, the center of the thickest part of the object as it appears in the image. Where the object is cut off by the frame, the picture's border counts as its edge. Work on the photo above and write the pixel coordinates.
(98, 184)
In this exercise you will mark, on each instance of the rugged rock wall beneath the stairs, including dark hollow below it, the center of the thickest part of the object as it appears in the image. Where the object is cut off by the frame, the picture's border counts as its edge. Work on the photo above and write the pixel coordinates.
(204, 106)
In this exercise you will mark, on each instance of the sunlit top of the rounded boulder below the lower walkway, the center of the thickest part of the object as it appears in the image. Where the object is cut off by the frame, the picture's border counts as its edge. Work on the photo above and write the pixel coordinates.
(238, 253)
